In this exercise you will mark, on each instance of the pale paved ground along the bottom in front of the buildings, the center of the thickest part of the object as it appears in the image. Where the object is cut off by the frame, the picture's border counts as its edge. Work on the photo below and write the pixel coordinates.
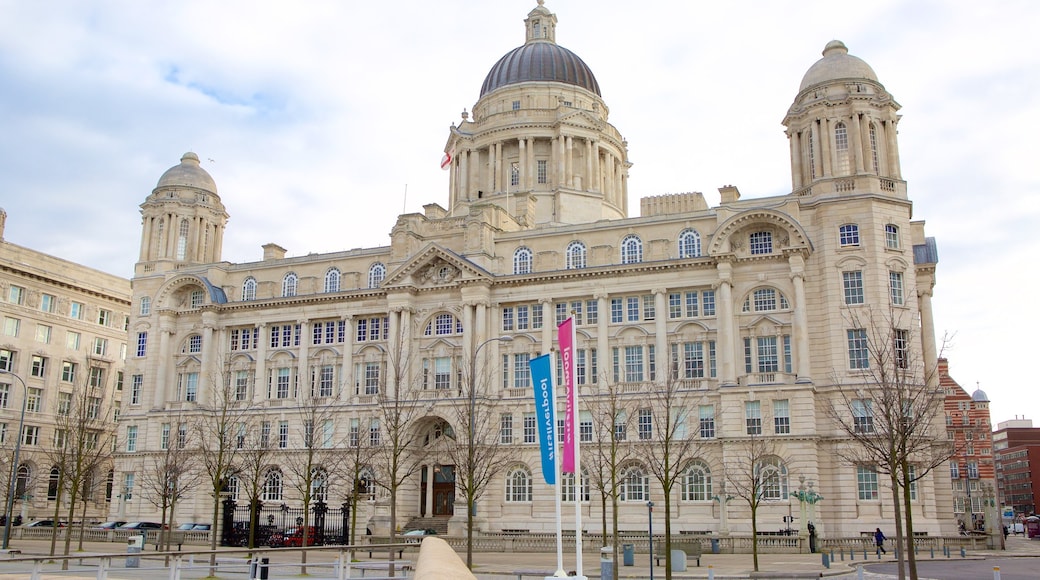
(525, 566)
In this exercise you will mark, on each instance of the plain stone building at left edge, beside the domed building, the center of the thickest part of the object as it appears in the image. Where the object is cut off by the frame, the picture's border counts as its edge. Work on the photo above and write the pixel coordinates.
(65, 338)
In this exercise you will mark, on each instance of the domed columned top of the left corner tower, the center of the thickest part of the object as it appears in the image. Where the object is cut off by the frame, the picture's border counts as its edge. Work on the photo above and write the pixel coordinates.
(184, 220)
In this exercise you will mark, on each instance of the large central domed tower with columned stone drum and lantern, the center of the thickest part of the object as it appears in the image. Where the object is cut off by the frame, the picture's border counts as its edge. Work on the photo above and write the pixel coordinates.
(539, 145)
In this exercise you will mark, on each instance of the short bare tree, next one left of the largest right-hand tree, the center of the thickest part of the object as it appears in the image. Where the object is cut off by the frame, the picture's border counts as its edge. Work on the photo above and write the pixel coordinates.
(756, 472)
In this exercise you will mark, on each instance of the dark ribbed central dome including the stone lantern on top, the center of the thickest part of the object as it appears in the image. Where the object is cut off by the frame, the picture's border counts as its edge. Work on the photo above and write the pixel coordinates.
(540, 60)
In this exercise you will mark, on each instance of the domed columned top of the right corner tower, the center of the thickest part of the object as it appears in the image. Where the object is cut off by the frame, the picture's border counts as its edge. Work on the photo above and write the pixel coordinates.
(843, 129)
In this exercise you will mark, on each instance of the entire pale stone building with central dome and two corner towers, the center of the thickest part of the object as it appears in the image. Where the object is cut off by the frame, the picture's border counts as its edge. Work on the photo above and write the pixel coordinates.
(758, 310)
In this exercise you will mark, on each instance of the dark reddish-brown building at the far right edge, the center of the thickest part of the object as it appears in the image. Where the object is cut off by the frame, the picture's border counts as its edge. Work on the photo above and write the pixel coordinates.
(1017, 445)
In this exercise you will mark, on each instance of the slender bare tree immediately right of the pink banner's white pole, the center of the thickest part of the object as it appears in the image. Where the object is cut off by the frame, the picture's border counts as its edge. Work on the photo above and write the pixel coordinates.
(606, 459)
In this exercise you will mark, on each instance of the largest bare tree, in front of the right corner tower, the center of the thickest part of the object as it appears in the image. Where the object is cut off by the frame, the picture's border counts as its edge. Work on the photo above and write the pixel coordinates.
(894, 418)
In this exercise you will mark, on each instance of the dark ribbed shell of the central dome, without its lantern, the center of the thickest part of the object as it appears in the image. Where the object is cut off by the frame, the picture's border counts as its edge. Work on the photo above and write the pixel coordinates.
(540, 62)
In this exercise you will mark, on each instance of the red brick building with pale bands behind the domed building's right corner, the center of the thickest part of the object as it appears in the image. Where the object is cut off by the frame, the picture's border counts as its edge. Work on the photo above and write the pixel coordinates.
(972, 468)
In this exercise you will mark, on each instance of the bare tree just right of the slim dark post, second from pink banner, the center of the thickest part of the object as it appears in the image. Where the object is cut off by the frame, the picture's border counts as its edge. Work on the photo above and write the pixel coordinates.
(666, 444)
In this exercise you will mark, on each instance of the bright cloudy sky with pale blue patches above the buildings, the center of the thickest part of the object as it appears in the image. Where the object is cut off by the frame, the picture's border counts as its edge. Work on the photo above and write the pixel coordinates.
(316, 117)
